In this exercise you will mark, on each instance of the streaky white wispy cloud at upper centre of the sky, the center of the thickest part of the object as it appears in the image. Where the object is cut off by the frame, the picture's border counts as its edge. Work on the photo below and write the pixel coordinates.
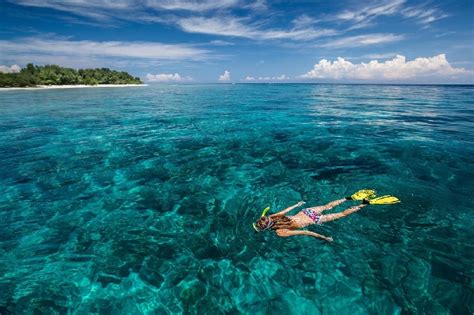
(242, 27)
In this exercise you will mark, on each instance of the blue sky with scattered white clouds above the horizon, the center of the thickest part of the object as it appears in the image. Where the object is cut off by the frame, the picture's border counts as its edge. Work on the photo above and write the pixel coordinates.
(184, 41)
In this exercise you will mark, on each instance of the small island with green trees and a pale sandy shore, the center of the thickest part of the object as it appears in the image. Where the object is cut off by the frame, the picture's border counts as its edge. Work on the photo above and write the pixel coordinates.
(53, 75)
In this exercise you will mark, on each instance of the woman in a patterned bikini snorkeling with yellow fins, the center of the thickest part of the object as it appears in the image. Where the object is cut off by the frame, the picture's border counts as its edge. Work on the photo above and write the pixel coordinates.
(285, 226)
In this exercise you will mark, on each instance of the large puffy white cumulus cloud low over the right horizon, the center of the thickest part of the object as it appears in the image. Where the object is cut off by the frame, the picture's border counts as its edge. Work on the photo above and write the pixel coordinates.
(396, 69)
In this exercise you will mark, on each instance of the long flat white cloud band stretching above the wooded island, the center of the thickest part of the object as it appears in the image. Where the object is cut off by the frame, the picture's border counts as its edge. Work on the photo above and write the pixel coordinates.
(111, 49)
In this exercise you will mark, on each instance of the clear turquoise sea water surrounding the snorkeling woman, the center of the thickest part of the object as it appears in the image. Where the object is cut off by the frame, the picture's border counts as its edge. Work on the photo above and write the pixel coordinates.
(140, 200)
